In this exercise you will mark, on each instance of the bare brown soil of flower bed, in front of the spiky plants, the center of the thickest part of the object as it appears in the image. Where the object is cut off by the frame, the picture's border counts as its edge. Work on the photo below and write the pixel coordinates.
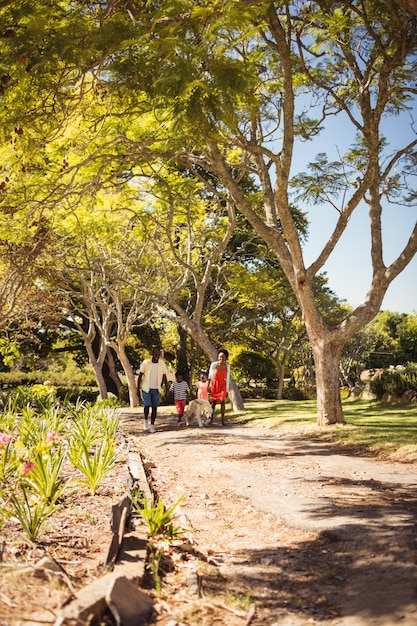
(75, 542)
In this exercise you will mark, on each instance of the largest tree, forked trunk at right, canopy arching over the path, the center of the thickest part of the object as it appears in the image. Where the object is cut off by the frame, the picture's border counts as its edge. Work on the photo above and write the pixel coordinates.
(239, 87)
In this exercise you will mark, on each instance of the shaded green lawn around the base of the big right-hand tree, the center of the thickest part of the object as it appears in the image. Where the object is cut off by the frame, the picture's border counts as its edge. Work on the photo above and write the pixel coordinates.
(374, 427)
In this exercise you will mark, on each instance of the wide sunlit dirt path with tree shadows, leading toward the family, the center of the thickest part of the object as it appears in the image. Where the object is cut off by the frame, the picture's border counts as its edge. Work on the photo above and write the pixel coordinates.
(286, 530)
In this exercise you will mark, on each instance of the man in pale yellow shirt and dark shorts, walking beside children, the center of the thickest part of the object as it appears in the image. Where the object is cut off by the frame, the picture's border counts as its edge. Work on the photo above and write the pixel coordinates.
(152, 375)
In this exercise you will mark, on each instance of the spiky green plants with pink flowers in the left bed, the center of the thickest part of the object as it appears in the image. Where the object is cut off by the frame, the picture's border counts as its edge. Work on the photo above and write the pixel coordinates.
(34, 468)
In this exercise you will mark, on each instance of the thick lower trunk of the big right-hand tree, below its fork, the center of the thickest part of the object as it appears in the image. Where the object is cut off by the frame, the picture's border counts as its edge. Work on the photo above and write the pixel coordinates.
(329, 402)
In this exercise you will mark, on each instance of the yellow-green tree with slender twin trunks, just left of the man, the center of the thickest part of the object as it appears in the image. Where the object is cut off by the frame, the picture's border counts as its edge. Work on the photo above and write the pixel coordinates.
(96, 274)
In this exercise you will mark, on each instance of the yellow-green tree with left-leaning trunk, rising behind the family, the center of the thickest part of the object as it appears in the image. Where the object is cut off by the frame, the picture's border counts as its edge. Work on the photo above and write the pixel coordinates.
(186, 235)
